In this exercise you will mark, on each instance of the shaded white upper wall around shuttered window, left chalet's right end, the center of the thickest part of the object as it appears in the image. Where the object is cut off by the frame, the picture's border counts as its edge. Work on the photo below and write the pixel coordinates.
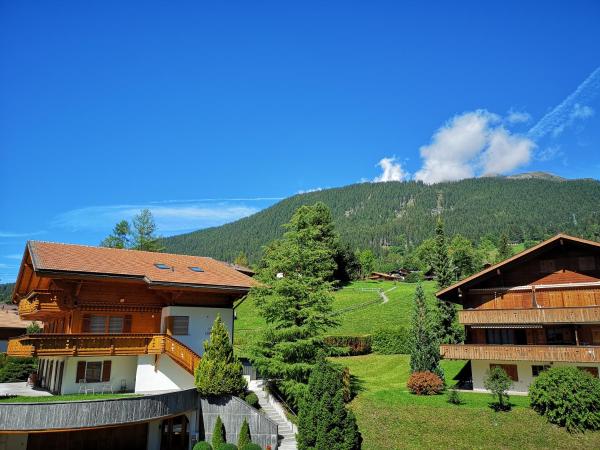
(201, 321)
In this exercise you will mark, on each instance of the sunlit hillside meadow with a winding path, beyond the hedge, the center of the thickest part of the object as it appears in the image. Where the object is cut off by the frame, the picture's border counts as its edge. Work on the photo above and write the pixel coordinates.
(396, 312)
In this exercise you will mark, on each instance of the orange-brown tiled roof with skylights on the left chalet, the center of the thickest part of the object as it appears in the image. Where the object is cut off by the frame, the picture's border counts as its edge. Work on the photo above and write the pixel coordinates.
(55, 257)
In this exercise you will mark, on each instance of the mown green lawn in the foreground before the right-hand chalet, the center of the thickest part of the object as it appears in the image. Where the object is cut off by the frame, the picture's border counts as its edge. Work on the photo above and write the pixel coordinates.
(389, 417)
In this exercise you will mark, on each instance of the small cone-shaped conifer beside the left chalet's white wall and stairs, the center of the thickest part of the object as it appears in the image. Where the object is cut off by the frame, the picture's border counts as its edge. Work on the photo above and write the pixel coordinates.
(219, 372)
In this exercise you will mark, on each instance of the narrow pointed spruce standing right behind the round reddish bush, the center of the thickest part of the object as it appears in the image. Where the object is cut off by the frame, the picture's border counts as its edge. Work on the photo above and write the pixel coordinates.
(425, 353)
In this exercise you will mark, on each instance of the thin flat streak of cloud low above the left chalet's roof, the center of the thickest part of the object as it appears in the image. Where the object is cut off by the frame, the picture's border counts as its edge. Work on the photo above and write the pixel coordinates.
(172, 218)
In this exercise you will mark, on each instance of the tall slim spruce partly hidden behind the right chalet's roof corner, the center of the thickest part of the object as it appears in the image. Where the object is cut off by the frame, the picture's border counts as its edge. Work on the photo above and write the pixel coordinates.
(444, 276)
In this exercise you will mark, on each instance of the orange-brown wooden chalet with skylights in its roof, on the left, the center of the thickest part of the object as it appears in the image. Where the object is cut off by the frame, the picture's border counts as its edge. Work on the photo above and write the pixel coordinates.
(103, 302)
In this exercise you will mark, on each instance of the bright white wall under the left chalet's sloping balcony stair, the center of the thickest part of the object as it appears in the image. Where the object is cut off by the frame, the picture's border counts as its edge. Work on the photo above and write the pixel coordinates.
(167, 376)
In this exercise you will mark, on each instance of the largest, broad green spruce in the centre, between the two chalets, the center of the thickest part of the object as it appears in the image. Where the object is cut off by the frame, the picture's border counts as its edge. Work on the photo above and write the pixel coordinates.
(295, 299)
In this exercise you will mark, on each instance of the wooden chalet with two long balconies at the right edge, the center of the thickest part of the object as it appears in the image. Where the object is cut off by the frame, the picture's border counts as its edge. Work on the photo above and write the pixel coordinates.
(534, 310)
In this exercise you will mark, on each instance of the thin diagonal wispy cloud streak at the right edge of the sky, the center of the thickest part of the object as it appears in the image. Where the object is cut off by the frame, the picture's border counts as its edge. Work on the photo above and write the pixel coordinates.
(569, 110)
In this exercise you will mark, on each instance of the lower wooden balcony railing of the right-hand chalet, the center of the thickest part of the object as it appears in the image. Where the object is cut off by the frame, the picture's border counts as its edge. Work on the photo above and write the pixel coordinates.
(538, 353)
